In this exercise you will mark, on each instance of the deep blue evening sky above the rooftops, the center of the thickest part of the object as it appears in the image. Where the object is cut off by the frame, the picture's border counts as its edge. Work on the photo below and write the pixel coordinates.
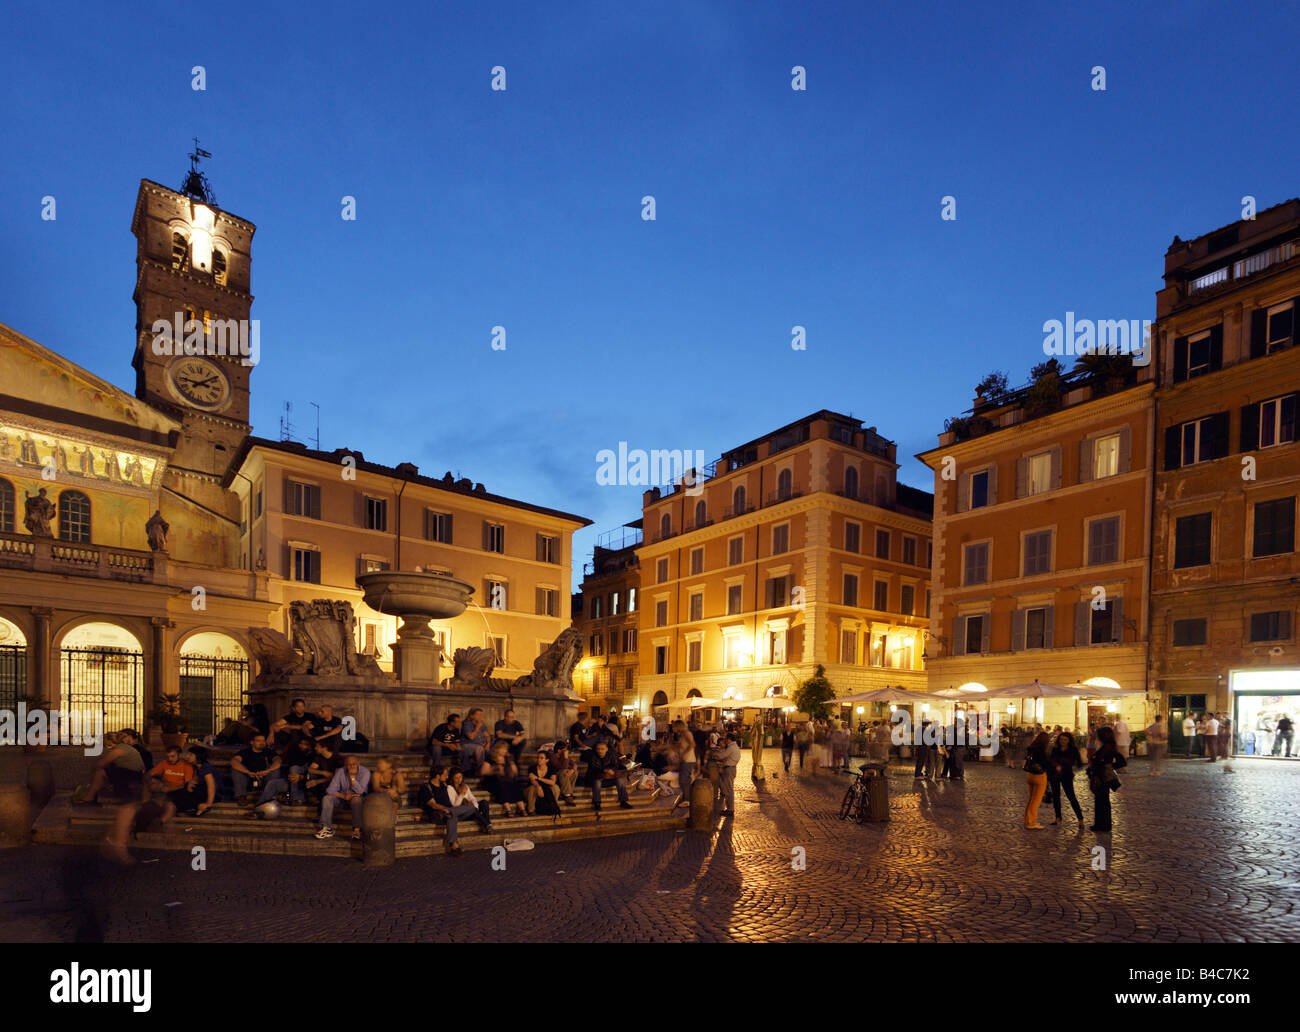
(523, 209)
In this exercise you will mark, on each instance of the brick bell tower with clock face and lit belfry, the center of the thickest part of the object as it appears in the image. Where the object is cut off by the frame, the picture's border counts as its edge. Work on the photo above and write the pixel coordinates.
(196, 345)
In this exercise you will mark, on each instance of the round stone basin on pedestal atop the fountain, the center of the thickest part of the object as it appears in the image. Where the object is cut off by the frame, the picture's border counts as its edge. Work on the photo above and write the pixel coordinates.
(418, 599)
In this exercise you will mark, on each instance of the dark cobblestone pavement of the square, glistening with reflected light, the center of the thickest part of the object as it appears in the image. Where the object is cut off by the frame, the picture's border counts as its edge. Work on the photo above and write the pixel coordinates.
(1197, 856)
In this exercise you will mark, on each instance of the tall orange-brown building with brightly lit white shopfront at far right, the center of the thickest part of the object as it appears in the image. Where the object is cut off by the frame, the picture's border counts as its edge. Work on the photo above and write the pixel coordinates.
(1225, 571)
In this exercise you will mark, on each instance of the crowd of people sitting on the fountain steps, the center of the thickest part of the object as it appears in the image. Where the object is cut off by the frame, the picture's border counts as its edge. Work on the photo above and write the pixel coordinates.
(302, 758)
